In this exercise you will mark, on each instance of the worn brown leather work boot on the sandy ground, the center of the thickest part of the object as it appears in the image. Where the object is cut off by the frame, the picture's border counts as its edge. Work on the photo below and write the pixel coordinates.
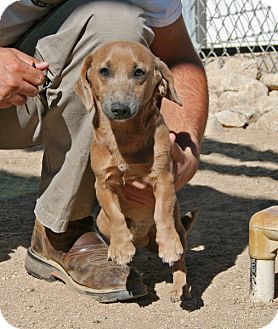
(78, 257)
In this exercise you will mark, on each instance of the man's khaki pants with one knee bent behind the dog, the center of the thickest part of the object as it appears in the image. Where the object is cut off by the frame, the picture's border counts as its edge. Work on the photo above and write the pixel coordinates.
(60, 123)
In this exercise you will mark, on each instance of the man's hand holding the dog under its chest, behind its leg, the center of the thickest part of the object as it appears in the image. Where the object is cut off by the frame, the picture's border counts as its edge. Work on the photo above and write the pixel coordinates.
(185, 166)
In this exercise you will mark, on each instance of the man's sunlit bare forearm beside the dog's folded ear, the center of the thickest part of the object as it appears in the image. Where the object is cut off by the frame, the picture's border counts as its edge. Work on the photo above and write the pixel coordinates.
(188, 121)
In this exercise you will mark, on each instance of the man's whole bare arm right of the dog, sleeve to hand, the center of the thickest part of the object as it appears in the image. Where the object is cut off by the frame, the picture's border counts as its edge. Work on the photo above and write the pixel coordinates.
(172, 44)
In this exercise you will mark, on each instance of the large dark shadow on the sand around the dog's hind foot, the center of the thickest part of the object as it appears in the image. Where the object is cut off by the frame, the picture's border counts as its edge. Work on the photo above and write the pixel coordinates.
(221, 230)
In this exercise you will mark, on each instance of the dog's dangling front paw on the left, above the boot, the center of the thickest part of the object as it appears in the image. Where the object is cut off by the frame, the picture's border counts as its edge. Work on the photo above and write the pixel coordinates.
(122, 254)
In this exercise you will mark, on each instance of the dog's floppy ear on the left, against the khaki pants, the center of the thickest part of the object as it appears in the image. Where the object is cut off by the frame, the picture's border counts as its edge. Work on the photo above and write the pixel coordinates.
(83, 86)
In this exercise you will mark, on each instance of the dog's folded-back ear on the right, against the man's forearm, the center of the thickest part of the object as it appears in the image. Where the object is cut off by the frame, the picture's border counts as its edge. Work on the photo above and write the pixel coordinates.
(166, 87)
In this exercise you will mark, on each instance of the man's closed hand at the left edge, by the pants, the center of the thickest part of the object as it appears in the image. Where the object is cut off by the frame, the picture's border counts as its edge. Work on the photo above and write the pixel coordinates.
(18, 79)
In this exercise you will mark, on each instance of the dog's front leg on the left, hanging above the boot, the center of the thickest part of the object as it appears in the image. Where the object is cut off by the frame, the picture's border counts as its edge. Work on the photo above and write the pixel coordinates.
(121, 248)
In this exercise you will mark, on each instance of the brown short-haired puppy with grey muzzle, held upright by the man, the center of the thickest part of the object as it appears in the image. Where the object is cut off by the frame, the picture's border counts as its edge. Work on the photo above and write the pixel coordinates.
(123, 81)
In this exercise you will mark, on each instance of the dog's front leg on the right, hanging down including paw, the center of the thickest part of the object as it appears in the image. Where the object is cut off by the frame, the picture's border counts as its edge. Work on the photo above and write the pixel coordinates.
(169, 245)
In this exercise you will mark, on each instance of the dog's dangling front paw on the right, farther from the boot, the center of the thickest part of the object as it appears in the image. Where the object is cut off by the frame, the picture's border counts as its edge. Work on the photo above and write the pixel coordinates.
(171, 251)
